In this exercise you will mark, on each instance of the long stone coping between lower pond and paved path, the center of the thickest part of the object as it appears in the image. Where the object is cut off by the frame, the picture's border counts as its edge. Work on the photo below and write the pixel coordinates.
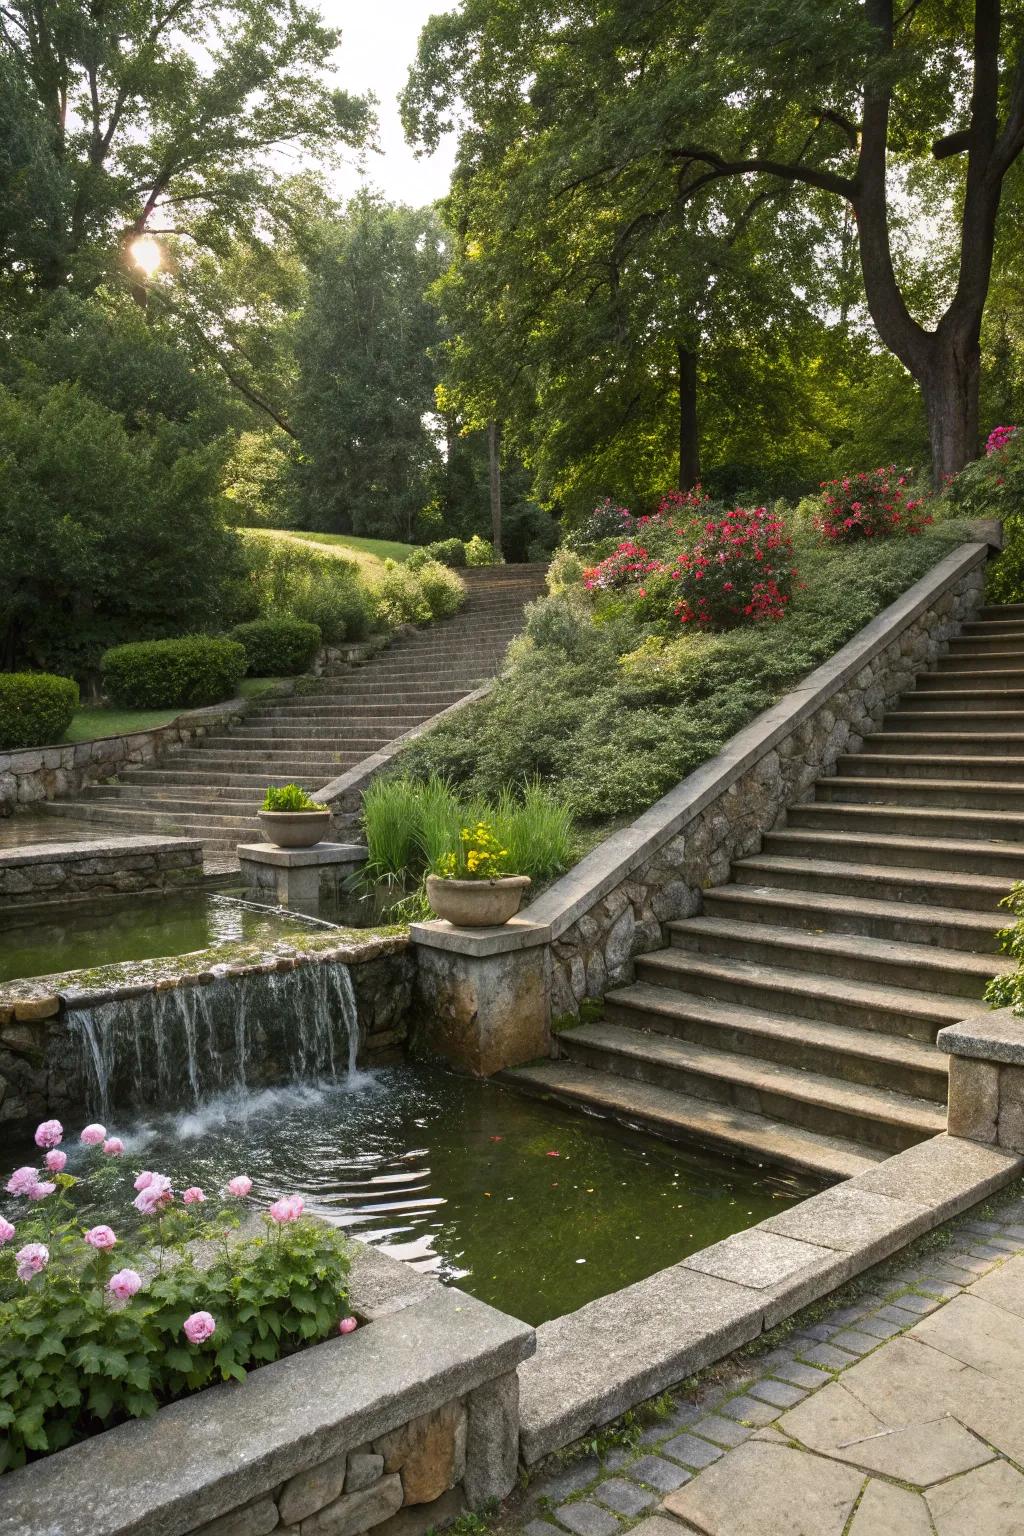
(616, 1352)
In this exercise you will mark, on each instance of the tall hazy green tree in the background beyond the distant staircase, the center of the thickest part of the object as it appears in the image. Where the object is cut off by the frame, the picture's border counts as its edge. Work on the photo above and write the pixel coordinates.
(365, 397)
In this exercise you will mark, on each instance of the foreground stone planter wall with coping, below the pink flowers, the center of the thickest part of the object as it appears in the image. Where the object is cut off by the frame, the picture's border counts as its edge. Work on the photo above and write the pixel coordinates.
(394, 1429)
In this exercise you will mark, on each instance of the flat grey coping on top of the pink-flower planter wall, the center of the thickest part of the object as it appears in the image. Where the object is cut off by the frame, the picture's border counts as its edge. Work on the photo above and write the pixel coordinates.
(223, 1448)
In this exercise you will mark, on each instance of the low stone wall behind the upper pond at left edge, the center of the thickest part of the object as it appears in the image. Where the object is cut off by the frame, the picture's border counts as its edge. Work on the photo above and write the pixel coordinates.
(47, 873)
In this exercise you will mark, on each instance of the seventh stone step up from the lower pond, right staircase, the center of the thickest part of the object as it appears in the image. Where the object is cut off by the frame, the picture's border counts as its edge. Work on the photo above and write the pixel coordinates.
(874, 881)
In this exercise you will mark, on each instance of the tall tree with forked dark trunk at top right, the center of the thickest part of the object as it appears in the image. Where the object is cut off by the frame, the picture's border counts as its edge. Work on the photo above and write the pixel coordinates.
(867, 105)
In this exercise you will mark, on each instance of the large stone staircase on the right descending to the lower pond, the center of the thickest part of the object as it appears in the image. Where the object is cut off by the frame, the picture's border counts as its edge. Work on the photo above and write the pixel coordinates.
(794, 1021)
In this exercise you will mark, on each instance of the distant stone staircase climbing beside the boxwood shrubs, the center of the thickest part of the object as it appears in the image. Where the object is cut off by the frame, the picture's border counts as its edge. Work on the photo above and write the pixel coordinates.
(214, 789)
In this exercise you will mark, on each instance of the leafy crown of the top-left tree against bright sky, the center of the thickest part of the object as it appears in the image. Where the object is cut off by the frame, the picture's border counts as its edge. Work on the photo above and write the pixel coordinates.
(154, 114)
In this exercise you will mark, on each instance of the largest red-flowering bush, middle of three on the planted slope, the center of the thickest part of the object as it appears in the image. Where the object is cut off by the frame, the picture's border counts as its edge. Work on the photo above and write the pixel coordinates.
(739, 571)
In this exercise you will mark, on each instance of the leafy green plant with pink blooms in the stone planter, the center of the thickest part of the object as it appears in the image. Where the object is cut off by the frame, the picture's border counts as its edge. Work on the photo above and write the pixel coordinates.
(108, 1320)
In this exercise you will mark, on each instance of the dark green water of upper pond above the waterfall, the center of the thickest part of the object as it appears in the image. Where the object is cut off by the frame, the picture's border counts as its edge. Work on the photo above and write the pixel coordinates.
(144, 929)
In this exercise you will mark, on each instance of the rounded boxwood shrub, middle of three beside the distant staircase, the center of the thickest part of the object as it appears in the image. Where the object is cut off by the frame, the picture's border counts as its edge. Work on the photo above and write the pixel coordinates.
(159, 675)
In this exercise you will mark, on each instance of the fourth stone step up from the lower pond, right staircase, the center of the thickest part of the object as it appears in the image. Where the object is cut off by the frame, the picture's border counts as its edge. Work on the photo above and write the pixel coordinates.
(903, 1011)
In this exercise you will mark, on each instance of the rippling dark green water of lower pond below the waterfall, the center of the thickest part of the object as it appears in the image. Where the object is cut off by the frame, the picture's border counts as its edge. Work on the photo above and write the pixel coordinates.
(524, 1205)
